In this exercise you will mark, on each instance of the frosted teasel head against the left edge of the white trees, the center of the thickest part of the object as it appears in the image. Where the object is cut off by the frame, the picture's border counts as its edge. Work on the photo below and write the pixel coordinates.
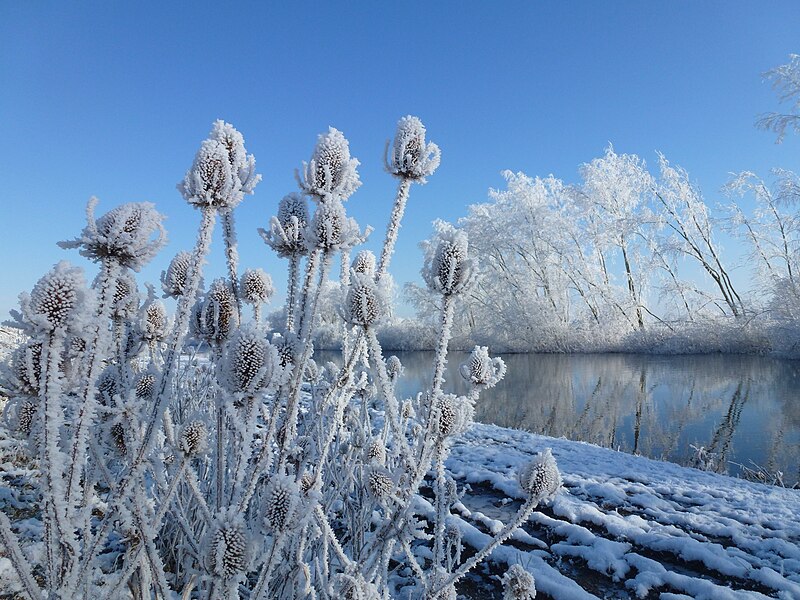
(448, 269)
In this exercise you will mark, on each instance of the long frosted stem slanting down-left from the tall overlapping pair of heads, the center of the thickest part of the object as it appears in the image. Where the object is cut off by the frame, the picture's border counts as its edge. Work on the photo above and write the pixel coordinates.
(168, 373)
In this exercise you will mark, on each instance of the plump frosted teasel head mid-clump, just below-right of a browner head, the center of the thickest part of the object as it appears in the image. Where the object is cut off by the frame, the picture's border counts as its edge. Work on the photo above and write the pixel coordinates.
(249, 362)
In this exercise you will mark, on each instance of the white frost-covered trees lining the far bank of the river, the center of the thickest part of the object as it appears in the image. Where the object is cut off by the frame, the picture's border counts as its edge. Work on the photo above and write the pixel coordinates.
(631, 257)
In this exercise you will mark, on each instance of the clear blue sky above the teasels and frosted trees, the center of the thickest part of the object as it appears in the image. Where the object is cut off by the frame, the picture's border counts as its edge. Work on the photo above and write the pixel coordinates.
(112, 99)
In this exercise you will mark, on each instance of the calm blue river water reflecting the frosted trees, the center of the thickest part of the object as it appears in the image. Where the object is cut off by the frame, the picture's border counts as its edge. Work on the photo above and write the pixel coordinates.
(741, 409)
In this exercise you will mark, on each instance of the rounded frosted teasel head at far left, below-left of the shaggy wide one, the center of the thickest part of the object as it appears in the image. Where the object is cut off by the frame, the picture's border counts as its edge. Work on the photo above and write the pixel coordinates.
(57, 300)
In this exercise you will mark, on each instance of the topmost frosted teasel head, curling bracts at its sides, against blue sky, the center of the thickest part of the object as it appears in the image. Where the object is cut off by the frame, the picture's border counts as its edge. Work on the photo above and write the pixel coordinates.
(410, 155)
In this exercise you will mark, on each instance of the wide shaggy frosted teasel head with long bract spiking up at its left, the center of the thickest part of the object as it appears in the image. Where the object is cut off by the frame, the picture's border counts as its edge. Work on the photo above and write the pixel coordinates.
(131, 234)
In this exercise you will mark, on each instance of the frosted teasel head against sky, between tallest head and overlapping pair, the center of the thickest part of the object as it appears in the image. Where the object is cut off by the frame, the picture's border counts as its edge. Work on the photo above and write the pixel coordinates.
(331, 172)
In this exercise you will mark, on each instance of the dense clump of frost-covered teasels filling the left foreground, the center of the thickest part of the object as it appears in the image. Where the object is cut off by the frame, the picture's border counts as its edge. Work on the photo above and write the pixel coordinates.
(248, 471)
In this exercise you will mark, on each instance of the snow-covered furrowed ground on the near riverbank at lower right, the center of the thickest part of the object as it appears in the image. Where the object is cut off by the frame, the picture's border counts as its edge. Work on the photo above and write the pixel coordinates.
(627, 526)
